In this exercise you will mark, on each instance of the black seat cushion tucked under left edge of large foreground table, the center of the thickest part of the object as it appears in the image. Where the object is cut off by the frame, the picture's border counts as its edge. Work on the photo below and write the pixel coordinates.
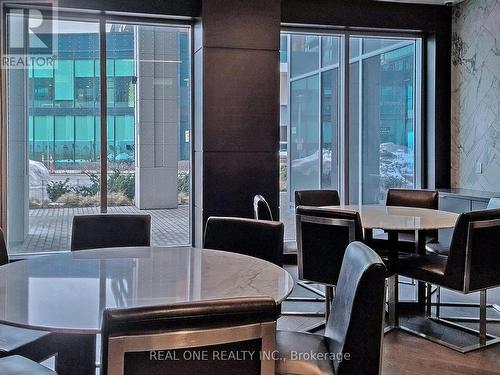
(15, 339)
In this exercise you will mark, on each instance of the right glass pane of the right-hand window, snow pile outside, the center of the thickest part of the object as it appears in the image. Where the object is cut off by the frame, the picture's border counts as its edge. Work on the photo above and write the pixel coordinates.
(382, 117)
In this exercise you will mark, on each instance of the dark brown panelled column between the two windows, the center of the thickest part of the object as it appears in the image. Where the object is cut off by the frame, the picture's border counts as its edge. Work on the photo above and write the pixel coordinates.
(236, 84)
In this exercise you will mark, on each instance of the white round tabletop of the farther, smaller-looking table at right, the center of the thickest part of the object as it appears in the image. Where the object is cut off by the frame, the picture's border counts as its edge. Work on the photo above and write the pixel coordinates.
(401, 218)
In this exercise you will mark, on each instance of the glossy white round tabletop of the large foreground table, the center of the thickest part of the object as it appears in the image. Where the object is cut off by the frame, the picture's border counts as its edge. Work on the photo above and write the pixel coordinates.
(67, 292)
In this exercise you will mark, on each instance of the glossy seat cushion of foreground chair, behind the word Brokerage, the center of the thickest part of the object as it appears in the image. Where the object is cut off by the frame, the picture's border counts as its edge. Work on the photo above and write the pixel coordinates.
(302, 353)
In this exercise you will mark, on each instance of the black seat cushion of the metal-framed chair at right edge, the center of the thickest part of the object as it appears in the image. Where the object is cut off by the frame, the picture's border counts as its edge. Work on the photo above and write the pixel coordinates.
(429, 267)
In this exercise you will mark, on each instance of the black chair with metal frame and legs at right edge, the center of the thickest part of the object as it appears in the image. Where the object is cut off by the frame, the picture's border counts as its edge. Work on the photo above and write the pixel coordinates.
(471, 266)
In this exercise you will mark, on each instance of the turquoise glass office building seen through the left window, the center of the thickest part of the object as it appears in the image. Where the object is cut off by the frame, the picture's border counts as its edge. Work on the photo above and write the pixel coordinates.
(64, 102)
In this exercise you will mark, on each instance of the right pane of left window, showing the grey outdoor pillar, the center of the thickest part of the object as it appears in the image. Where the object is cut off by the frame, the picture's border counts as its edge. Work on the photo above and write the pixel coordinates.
(149, 124)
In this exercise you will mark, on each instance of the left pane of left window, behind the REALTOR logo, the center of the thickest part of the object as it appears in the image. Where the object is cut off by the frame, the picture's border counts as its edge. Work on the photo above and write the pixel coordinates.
(52, 123)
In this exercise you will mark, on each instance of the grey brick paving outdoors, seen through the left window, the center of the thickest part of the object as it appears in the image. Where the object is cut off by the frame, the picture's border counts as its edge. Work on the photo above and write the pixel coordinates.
(50, 228)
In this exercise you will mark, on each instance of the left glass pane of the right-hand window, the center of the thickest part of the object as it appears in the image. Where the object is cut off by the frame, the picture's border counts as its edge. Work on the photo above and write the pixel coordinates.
(314, 126)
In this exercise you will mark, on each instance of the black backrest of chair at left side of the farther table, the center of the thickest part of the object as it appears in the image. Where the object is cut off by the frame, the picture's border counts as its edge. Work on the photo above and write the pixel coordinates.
(322, 238)
